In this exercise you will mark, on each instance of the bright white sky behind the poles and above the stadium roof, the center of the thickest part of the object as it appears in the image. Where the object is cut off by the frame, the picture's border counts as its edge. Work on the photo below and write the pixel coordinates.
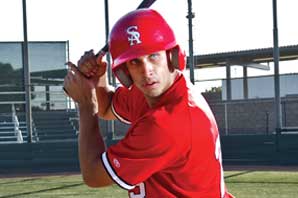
(218, 26)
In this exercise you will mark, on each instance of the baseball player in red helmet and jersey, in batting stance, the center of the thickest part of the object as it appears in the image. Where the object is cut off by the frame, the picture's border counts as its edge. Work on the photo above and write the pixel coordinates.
(172, 148)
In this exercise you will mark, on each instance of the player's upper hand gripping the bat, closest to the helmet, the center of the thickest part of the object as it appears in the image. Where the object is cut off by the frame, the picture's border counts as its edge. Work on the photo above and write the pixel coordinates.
(91, 66)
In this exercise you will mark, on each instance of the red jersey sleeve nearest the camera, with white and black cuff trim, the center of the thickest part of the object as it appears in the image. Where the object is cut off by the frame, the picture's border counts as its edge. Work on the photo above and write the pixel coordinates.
(140, 154)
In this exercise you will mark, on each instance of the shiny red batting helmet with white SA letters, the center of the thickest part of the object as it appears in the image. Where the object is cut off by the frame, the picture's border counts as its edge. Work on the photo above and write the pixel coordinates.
(139, 33)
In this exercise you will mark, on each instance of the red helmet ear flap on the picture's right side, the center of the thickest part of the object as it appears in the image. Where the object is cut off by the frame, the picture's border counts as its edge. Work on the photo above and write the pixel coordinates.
(177, 58)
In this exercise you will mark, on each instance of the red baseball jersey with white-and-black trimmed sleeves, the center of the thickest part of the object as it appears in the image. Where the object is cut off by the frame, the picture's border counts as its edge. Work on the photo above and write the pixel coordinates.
(170, 150)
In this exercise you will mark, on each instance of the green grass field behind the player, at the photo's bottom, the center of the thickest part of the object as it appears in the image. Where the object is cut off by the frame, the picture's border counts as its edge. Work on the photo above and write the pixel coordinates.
(243, 184)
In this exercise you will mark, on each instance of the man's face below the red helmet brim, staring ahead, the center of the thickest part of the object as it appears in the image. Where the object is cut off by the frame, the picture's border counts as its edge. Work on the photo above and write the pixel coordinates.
(151, 74)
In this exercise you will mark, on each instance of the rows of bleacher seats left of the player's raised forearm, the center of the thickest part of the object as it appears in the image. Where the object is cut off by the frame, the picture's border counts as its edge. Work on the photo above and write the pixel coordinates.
(46, 126)
